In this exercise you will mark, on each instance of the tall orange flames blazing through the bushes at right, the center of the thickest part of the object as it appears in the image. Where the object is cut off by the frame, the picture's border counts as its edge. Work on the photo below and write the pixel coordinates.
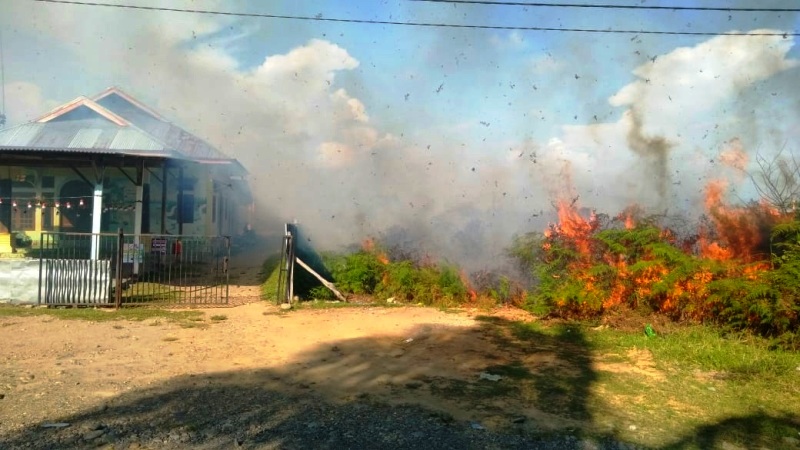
(732, 236)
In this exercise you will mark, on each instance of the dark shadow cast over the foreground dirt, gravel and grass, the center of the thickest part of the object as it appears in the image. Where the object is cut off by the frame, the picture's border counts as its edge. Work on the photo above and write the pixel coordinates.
(374, 393)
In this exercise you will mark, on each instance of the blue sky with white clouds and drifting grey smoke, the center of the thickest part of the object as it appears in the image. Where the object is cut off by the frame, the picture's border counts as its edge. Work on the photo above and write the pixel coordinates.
(356, 129)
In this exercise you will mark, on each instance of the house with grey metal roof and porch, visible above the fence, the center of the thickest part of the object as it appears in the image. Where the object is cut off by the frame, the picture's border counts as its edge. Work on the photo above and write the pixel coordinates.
(101, 163)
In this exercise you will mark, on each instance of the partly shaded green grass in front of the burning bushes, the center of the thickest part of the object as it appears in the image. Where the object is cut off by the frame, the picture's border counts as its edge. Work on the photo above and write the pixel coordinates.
(693, 387)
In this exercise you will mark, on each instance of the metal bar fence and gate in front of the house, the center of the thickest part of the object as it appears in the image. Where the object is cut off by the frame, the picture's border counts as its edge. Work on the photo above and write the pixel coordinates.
(118, 269)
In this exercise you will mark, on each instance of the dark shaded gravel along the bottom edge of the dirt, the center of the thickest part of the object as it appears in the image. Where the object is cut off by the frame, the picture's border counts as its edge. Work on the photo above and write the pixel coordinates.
(213, 415)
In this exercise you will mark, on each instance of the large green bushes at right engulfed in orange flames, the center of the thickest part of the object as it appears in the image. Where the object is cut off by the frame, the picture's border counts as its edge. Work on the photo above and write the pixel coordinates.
(587, 265)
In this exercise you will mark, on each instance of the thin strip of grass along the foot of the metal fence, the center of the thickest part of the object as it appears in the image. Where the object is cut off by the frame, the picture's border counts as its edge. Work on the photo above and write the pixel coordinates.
(104, 315)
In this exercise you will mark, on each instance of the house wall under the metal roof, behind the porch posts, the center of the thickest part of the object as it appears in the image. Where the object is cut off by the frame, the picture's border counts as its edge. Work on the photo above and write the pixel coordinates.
(210, 205)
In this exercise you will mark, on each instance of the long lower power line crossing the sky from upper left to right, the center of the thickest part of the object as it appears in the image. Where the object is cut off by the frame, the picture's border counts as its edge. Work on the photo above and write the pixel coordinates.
(320, 18)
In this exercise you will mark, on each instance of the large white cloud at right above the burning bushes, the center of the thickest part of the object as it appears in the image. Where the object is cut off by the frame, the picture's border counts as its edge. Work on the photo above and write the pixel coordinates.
(659, 153)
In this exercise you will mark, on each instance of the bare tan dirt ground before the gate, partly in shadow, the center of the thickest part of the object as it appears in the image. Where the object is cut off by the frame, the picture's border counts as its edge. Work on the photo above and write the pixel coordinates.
(254, 377)
